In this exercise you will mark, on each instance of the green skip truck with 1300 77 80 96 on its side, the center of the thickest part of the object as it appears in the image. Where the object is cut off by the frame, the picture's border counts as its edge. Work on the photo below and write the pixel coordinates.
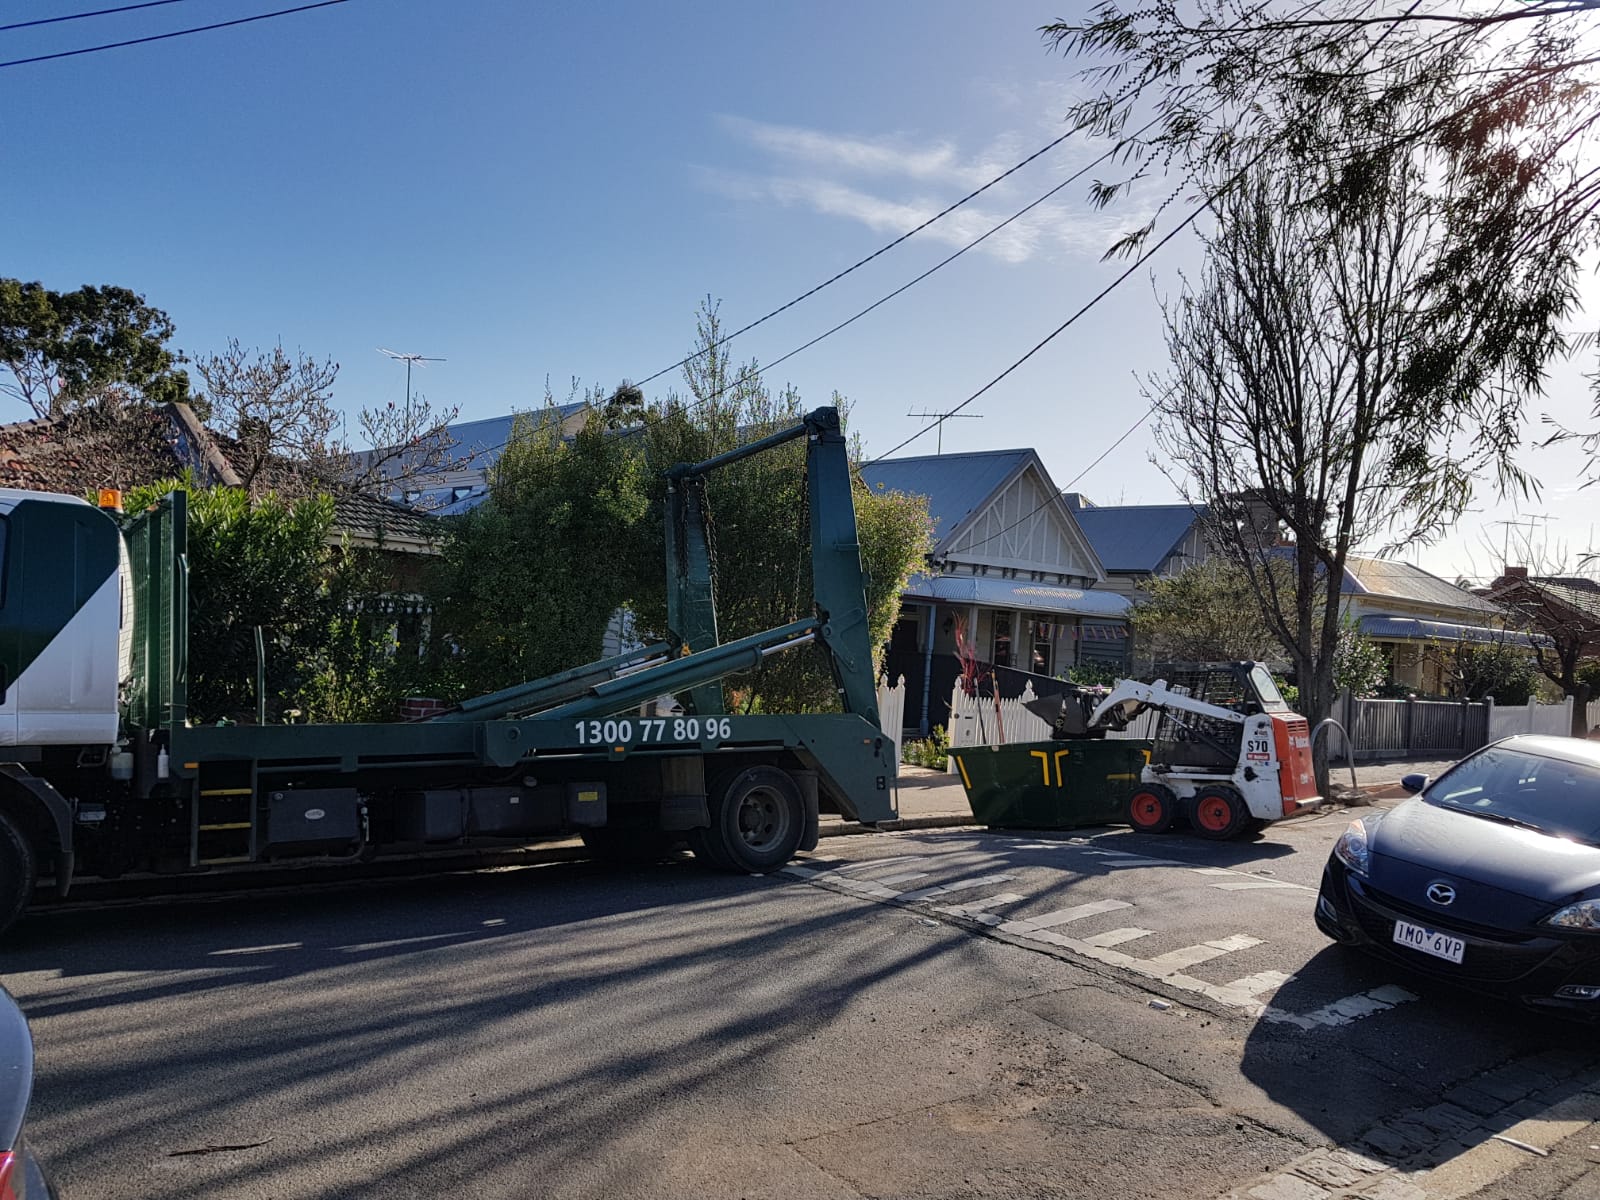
(102, 772)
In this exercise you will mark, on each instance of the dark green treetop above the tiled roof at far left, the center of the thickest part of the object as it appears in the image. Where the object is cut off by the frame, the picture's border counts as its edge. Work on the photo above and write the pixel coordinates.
(70, 350)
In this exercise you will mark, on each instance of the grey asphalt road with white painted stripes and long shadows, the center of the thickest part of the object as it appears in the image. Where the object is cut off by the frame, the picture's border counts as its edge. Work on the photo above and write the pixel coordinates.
(938, 1014)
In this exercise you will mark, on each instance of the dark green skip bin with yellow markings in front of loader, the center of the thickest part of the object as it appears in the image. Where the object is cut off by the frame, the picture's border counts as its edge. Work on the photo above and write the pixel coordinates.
(1058, 785)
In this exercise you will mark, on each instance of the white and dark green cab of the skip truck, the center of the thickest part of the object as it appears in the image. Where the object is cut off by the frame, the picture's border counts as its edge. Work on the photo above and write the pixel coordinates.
(60, 617)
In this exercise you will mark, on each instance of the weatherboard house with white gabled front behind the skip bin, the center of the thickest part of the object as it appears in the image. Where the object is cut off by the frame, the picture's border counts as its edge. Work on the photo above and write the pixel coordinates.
(1010, 569)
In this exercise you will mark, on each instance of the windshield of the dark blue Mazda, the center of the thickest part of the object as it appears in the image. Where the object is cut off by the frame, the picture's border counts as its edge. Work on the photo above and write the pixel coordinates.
(1553, 796)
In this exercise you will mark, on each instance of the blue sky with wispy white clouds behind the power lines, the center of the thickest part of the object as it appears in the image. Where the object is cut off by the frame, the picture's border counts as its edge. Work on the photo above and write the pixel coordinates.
(548, 191)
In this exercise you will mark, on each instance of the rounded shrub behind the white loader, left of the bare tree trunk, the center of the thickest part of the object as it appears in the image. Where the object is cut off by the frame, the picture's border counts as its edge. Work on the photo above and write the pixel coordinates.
(1202, 615)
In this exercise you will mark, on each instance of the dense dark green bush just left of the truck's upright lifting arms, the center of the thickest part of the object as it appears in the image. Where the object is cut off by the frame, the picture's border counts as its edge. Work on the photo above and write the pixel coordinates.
(529, 580)
